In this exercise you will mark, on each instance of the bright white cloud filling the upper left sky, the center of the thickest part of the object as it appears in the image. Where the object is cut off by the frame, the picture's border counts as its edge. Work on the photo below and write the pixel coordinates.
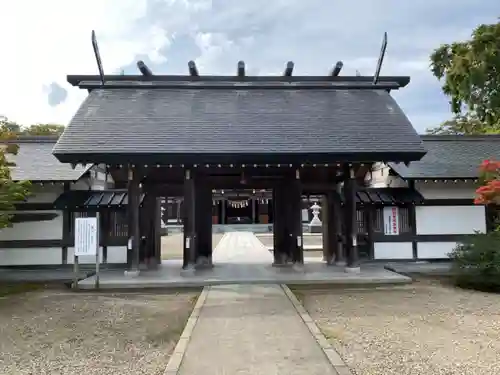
(51, 38)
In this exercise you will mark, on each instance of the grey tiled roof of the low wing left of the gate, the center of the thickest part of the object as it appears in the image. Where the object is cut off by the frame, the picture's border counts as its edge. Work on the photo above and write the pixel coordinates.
(35, 161)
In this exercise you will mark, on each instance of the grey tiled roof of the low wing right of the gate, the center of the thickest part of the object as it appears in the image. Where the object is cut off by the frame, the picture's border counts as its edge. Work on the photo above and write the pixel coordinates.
(451, 157)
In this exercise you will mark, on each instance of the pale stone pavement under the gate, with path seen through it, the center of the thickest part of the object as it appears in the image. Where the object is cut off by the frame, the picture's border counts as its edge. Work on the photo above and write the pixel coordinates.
(240, 258)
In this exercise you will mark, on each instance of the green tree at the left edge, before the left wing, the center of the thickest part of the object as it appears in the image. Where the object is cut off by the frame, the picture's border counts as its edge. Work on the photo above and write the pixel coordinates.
(10, 191)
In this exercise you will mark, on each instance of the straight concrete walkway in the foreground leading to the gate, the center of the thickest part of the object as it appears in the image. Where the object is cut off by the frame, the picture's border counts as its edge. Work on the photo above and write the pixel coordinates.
(252, 329)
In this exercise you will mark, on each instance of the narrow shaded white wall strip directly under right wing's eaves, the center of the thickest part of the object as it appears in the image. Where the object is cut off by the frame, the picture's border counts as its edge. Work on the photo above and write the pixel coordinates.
(446, 190)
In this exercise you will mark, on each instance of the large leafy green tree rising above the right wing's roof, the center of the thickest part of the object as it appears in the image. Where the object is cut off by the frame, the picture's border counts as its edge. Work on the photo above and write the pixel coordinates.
(470, 72)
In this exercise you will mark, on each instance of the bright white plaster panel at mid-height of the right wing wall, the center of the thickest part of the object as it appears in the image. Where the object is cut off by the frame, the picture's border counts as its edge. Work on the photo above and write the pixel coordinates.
(450, 219)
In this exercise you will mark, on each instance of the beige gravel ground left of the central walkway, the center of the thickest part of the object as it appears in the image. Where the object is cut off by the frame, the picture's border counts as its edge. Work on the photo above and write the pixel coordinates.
(59, 332)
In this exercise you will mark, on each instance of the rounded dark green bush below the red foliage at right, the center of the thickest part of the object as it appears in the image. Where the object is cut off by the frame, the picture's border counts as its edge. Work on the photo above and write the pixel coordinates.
(476, 262)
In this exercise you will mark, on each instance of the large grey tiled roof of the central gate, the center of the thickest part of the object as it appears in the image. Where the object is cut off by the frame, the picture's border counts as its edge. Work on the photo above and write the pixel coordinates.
(140, 122)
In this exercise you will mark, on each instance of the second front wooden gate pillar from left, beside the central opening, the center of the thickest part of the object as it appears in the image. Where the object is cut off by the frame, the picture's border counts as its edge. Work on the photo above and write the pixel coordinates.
(189, 254)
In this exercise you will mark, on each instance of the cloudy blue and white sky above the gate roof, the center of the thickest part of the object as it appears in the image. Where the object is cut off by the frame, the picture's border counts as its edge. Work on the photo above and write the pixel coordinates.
(43, 41)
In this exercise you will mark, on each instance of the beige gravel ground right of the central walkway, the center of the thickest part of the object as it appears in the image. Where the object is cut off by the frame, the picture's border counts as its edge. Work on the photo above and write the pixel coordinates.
(423, 328)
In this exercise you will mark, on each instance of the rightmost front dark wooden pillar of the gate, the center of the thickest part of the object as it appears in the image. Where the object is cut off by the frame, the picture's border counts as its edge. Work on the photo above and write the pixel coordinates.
(351, 239)
